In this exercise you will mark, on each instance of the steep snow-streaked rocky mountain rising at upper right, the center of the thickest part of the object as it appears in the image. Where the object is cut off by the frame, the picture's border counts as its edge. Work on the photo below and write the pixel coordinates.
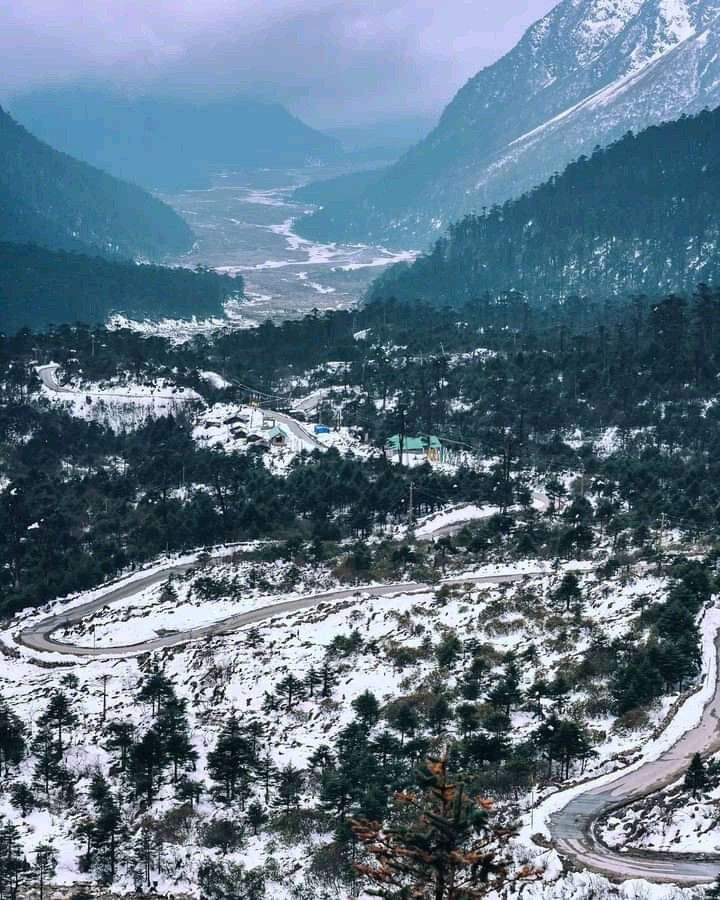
(583, 75)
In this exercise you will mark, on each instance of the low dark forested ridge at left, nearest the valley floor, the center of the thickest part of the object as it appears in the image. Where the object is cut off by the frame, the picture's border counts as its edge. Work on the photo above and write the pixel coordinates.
(40, 286)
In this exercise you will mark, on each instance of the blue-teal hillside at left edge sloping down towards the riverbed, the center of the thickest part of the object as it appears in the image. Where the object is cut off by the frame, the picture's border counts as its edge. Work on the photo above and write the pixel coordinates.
(51, 199)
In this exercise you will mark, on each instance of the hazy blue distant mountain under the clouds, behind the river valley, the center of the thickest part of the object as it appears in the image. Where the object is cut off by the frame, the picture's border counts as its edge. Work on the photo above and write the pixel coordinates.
(169, 144)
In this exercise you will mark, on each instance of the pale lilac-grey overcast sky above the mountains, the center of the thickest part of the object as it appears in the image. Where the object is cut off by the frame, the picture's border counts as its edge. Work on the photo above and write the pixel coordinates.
(331, 61)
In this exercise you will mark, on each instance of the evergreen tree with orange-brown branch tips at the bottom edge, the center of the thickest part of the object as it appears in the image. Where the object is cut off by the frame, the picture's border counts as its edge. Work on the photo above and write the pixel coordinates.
(446, 849)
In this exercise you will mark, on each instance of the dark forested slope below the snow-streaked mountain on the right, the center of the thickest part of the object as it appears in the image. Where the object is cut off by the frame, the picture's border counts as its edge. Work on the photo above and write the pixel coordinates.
(639, 216)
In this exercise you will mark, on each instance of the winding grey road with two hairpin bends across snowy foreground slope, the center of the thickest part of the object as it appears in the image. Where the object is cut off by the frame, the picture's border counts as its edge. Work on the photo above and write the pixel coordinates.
(573, 827)
